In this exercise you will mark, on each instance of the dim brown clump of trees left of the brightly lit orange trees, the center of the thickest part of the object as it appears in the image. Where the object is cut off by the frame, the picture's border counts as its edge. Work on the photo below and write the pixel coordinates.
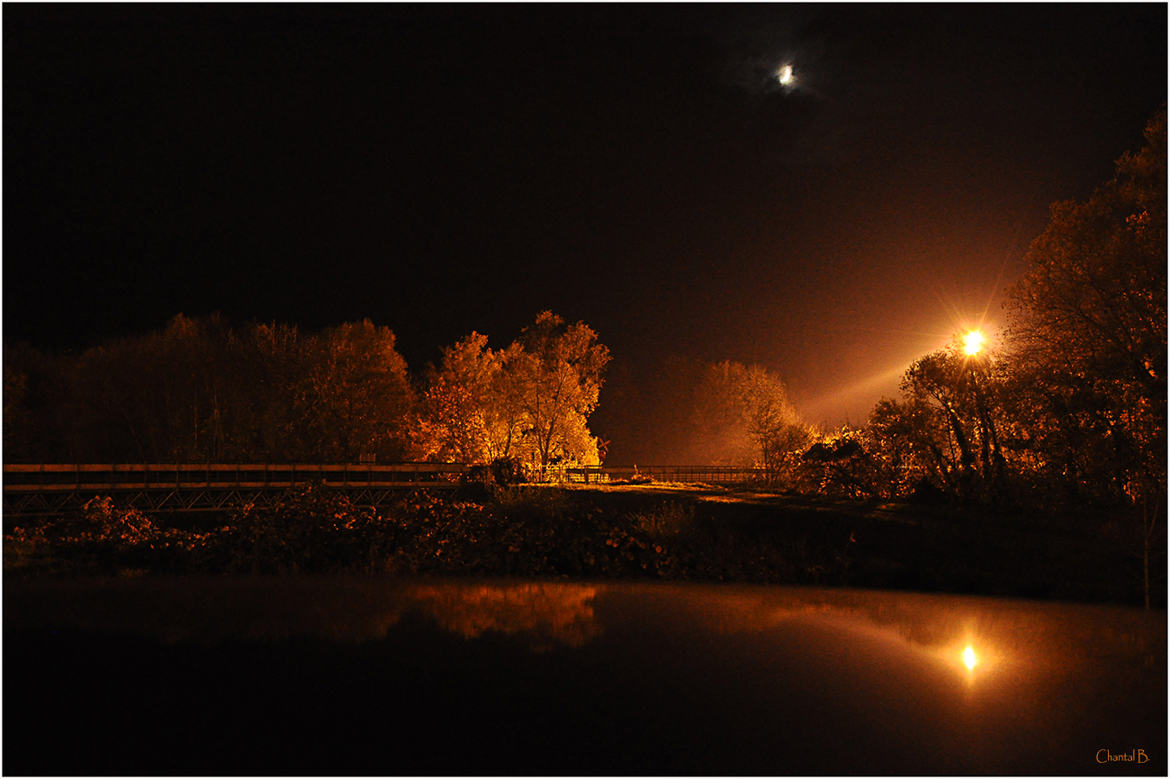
(203, 391)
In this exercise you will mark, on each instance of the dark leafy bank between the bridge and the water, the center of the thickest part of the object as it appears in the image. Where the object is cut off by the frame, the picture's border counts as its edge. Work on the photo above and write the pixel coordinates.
(670, 533)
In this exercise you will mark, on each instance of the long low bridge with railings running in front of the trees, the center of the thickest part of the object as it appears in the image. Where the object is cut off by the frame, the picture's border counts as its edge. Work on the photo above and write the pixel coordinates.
(51, 490)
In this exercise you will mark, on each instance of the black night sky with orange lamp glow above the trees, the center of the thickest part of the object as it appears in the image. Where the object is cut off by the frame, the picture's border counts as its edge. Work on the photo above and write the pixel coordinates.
(448, 169)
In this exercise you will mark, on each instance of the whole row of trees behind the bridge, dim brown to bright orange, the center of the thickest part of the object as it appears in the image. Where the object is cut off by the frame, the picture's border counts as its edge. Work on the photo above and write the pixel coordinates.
(203, 390)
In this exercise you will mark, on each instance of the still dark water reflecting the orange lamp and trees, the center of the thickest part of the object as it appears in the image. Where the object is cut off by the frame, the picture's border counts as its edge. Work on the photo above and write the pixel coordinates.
(371, 677)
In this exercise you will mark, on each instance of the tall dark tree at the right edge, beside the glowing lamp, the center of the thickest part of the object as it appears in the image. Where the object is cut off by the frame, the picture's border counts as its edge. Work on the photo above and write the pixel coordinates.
(1089, 333)
